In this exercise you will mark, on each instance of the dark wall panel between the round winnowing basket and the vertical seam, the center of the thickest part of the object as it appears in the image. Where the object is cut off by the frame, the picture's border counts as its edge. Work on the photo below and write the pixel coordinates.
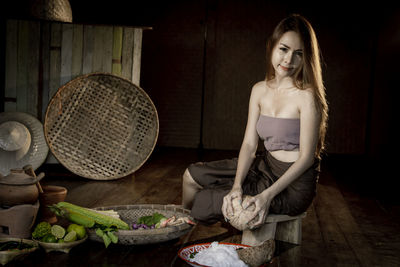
(172, 66)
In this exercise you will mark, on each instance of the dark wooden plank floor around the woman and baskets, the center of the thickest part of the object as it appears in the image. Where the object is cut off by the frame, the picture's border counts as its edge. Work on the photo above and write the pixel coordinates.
(343, 226)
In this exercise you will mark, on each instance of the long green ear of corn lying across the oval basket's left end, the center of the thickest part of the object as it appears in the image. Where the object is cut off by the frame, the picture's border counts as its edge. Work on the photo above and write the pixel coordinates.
(85, 214)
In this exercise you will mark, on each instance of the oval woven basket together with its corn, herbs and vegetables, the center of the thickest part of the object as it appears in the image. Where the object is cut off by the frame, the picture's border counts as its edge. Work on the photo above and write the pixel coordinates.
(129, 224)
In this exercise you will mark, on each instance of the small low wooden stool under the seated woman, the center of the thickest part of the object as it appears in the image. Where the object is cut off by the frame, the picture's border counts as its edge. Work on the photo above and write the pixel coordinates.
(279, 227)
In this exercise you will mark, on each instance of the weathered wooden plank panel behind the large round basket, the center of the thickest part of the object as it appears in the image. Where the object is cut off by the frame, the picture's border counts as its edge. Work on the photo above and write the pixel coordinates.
(42, 56)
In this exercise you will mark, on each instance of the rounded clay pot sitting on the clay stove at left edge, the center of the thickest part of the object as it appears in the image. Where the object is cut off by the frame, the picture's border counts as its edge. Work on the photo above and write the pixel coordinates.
(18, 188)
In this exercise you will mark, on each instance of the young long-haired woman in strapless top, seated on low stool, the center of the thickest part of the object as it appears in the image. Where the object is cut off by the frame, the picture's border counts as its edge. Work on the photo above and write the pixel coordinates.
(289, 112)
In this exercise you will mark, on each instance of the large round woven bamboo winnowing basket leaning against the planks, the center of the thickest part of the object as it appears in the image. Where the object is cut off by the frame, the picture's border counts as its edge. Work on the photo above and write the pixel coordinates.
(101, 126)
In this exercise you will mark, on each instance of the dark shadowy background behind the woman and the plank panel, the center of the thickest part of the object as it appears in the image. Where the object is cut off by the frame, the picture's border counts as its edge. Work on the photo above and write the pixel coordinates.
(201, 58)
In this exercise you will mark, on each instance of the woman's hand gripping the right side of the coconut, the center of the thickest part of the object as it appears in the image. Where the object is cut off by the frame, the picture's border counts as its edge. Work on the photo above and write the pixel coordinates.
(262, 202)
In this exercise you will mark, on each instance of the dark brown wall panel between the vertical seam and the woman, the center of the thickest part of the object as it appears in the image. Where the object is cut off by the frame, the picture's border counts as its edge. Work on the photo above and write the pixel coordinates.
(235, 62)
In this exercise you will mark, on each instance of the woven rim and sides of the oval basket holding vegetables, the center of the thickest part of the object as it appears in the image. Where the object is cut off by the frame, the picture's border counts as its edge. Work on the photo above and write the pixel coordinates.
(131, 213)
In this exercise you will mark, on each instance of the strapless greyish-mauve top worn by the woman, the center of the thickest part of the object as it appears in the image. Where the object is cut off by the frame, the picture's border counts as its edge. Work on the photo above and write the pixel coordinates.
(279, 133)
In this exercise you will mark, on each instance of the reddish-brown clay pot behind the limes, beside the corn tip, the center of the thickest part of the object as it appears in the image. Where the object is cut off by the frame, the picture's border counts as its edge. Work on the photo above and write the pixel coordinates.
(52, 194)
